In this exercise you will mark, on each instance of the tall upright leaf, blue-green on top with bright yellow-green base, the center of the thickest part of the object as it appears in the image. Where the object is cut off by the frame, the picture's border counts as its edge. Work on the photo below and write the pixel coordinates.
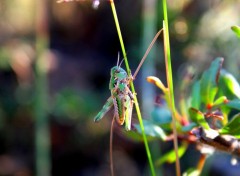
(209, 81)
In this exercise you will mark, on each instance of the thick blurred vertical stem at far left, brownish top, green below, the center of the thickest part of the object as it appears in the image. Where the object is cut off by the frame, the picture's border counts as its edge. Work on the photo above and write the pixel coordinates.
(42, 141)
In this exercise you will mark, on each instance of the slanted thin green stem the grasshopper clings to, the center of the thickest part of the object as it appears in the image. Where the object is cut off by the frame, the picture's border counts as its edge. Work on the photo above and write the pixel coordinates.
(132, 88)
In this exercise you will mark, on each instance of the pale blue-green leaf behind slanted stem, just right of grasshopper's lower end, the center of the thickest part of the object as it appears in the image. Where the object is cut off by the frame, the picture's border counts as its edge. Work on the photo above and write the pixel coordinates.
(151, 129)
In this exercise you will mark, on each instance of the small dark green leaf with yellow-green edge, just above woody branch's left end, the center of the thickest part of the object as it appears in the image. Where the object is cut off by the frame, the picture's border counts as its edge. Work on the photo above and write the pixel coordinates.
(198, 117)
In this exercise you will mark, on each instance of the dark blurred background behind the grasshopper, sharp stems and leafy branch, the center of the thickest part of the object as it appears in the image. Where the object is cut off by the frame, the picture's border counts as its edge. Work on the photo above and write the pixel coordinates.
(55, 60)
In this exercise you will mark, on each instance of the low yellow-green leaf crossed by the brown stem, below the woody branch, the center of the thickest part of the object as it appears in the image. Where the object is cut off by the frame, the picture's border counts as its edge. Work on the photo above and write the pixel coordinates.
(170, 157)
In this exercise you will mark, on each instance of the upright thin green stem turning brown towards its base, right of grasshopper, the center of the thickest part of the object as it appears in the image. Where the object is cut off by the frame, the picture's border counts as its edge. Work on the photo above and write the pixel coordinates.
(170, 83)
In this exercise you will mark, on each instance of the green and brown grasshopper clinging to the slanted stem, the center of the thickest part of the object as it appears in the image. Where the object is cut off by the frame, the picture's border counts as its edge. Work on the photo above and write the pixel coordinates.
(121, 97)
